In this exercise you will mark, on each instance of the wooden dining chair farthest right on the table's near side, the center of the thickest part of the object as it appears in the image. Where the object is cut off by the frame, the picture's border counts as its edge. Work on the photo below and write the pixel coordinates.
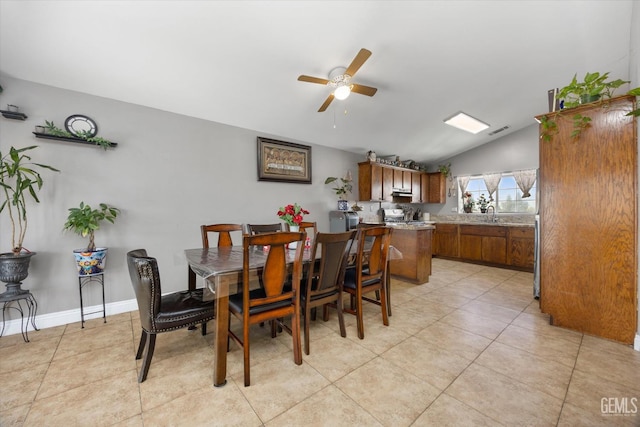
(370, 276)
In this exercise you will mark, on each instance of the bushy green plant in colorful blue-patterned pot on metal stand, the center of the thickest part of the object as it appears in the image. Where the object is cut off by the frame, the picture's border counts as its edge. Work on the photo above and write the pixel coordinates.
(84, 221)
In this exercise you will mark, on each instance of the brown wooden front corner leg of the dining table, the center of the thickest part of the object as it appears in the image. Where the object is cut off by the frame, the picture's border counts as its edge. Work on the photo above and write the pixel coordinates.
(220, 344)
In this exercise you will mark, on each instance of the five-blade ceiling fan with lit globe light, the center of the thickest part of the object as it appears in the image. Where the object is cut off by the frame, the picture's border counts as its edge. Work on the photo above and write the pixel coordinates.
(340, 79)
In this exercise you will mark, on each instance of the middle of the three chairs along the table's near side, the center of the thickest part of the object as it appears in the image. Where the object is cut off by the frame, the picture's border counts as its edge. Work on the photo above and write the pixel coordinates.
(323, 285)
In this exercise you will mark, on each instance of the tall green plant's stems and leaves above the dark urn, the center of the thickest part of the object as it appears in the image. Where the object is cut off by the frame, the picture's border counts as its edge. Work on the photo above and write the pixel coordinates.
(20, 180)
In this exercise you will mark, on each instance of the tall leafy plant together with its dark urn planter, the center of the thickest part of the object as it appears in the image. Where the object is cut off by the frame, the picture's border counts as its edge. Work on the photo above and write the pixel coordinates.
(19, 179)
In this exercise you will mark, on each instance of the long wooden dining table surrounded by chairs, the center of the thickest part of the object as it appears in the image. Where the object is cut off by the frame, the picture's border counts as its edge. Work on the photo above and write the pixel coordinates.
(221, 268)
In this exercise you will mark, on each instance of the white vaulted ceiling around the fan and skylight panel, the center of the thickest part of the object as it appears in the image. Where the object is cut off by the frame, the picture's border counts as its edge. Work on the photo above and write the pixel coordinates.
(237, 62)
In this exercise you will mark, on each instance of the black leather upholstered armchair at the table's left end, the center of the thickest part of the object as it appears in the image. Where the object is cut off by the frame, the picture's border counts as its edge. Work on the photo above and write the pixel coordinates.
(162, 313)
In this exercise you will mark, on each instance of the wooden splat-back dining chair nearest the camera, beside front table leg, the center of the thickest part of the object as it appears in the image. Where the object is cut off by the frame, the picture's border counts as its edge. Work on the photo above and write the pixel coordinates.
(273, 300)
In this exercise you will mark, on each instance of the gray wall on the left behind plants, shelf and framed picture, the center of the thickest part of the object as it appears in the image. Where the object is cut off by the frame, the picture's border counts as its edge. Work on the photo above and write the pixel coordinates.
(169, 174)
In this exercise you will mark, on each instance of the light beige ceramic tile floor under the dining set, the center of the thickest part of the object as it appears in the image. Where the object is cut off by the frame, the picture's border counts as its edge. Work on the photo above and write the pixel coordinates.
(469, 348)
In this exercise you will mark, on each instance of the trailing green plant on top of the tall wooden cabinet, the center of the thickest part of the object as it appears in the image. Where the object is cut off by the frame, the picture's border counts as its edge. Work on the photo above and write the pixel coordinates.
(594, 87)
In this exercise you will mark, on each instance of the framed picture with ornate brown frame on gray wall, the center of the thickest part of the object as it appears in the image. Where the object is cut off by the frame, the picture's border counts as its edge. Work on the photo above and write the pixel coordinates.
(283, 161)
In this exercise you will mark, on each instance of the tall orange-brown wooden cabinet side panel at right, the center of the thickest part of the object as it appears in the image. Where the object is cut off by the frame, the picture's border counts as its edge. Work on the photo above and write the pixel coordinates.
(588, 222)
